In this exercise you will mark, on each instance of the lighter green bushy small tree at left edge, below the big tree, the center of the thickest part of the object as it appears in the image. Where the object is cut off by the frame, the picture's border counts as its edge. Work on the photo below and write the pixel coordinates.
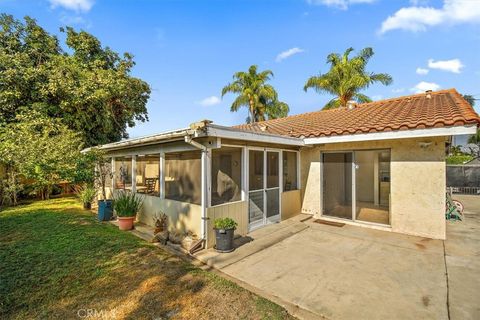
(39, 149)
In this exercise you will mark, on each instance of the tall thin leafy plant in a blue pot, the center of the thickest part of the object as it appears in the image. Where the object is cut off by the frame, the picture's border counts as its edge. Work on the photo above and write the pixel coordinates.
(103, 173)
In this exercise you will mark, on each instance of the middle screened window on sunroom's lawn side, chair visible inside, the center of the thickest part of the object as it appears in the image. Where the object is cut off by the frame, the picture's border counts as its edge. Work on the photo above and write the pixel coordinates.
(147, 174)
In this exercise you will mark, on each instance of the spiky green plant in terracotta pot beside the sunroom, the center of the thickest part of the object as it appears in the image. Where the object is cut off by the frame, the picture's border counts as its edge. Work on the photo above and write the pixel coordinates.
(127, 205)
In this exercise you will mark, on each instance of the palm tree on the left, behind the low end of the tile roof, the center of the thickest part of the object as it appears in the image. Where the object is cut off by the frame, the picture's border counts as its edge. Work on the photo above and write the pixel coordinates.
(253, 92)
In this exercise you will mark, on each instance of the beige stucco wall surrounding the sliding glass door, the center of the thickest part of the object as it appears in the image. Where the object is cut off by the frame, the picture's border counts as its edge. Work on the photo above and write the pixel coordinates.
(417, 198)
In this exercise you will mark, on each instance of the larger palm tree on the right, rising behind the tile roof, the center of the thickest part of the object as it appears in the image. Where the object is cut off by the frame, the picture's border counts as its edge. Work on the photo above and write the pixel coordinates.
(346, 78)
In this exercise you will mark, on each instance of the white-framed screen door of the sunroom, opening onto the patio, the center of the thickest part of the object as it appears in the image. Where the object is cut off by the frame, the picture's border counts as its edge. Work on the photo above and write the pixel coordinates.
(264, 187)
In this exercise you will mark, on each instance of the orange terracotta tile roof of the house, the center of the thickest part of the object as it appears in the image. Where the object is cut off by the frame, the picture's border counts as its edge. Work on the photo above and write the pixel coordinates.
(444, 108)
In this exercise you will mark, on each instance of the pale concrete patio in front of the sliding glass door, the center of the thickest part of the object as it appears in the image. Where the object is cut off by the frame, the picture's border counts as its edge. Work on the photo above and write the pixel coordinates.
(357, 273)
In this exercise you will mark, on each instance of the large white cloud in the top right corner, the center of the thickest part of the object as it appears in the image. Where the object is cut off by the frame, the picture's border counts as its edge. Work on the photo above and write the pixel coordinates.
(417, 18)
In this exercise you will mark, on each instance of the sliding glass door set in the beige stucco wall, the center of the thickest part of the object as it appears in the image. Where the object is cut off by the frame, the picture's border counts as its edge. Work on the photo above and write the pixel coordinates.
(356, 185)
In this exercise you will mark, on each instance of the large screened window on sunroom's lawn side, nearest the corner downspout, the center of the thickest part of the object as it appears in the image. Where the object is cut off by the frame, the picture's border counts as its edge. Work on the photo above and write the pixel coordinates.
(183, 173)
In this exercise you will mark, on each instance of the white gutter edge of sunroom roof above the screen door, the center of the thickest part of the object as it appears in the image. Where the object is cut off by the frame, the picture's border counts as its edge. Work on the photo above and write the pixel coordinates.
(213, 130)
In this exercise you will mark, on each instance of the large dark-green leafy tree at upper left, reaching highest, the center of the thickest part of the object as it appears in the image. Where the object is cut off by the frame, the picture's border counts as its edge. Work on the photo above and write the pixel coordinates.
(89, 87)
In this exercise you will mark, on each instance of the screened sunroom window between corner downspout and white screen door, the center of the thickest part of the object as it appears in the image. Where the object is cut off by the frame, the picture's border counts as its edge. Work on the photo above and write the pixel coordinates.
(226, 175)
